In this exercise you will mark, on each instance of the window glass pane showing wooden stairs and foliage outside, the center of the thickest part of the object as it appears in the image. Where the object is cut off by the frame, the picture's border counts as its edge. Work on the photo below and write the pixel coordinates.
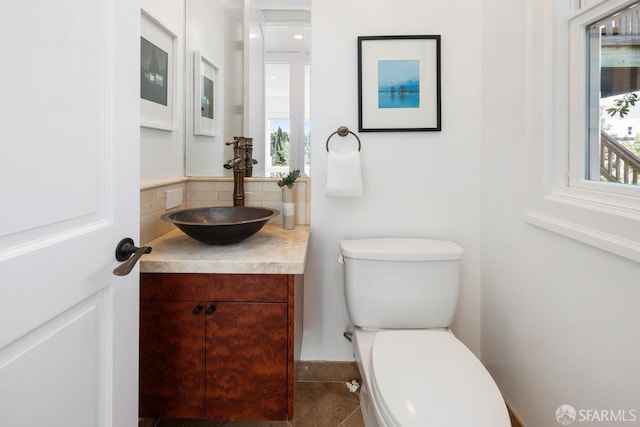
(614, 89)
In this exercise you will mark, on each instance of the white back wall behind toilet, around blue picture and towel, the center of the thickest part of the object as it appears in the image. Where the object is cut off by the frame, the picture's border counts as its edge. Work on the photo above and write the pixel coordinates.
(423, 184)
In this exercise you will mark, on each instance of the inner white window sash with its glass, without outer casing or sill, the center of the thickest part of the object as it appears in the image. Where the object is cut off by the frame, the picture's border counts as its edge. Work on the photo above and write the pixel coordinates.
(605, 97)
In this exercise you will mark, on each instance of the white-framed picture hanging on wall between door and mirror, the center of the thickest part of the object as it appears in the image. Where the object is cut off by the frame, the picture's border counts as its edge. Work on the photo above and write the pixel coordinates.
(158, 74)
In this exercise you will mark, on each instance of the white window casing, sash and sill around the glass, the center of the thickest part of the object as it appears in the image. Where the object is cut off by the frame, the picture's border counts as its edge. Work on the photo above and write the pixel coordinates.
(601, 214)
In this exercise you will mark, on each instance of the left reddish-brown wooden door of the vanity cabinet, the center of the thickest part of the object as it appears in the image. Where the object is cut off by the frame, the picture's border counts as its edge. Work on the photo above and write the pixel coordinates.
(172, 359)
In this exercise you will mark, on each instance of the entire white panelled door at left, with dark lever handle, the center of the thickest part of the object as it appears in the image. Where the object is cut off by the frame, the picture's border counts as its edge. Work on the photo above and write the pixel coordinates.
(69, 179)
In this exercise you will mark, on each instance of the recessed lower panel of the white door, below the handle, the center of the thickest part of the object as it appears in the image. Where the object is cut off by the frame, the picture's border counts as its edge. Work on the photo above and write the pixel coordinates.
(38, 364)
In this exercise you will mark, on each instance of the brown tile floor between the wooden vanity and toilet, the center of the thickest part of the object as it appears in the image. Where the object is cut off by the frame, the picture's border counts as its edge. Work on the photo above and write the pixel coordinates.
(322, 400)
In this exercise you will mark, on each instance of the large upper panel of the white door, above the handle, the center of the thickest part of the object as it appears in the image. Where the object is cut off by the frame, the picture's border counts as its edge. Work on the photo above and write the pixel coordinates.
(55, 101)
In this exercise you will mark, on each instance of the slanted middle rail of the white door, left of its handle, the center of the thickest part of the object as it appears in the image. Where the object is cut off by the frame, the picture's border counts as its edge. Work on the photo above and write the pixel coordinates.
(30, 294)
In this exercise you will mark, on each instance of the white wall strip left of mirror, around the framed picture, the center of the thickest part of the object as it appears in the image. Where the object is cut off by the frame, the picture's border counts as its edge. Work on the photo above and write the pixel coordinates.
(162, 152)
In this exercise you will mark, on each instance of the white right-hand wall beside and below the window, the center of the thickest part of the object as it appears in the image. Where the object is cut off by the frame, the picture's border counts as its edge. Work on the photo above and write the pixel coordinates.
(559, 318)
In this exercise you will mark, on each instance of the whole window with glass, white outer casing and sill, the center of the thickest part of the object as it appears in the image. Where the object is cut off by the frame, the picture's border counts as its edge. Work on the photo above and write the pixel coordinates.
(589, 47)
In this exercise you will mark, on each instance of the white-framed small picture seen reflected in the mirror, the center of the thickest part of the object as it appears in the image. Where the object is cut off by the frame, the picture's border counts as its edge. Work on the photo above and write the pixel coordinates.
(205, 96)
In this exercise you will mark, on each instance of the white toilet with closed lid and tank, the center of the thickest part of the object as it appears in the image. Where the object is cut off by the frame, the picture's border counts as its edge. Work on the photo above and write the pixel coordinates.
(401, 296)
